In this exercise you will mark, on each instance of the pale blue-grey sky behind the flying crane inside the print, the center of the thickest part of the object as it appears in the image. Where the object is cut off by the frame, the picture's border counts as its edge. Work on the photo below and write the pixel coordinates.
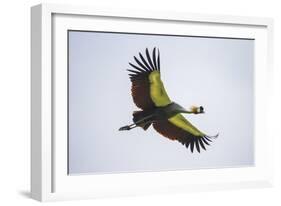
(213, 72)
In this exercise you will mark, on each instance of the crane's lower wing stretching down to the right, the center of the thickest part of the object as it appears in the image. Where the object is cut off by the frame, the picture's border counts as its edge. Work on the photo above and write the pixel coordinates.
(179, 128)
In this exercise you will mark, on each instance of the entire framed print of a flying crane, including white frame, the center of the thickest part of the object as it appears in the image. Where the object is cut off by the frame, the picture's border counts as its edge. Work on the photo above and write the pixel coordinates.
(136, 102)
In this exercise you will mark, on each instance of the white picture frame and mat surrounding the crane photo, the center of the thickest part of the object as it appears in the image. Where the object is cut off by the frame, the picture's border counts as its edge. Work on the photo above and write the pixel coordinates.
(49, 179)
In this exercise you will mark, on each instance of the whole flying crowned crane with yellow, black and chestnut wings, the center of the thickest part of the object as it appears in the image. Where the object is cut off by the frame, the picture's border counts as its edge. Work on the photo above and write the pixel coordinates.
(149, 94)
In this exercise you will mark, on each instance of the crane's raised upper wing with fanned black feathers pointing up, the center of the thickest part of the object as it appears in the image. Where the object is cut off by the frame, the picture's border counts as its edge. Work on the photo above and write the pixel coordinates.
(147, 88)
